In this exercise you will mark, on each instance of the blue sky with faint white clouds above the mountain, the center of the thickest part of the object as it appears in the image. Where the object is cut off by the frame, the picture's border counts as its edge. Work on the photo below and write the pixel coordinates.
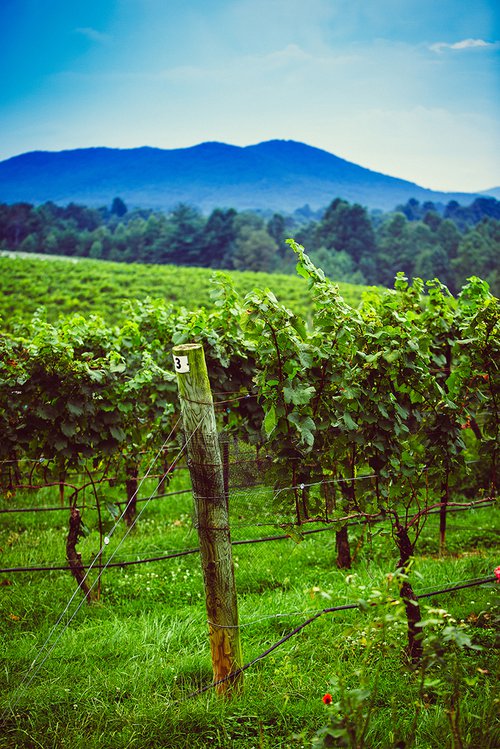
(407, 88)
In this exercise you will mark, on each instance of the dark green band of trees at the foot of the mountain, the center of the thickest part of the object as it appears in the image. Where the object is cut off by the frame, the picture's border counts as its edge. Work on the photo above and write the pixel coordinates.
(426, 240)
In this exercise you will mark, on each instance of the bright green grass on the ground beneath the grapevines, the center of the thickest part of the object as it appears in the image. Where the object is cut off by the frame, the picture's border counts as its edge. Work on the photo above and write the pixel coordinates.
(122, 672)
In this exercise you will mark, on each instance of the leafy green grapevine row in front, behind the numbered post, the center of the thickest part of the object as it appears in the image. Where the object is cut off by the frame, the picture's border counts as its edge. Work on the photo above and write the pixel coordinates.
(404, 389)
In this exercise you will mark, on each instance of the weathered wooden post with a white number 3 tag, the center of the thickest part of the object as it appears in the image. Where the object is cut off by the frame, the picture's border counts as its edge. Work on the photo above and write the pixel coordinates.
(212, 517)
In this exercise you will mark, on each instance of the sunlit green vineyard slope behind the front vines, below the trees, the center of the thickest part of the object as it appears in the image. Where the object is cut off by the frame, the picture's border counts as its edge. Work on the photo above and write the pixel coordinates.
(65, 286)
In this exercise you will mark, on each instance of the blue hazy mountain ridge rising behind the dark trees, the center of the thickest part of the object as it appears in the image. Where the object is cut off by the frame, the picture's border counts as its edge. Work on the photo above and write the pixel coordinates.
(278, 174)
